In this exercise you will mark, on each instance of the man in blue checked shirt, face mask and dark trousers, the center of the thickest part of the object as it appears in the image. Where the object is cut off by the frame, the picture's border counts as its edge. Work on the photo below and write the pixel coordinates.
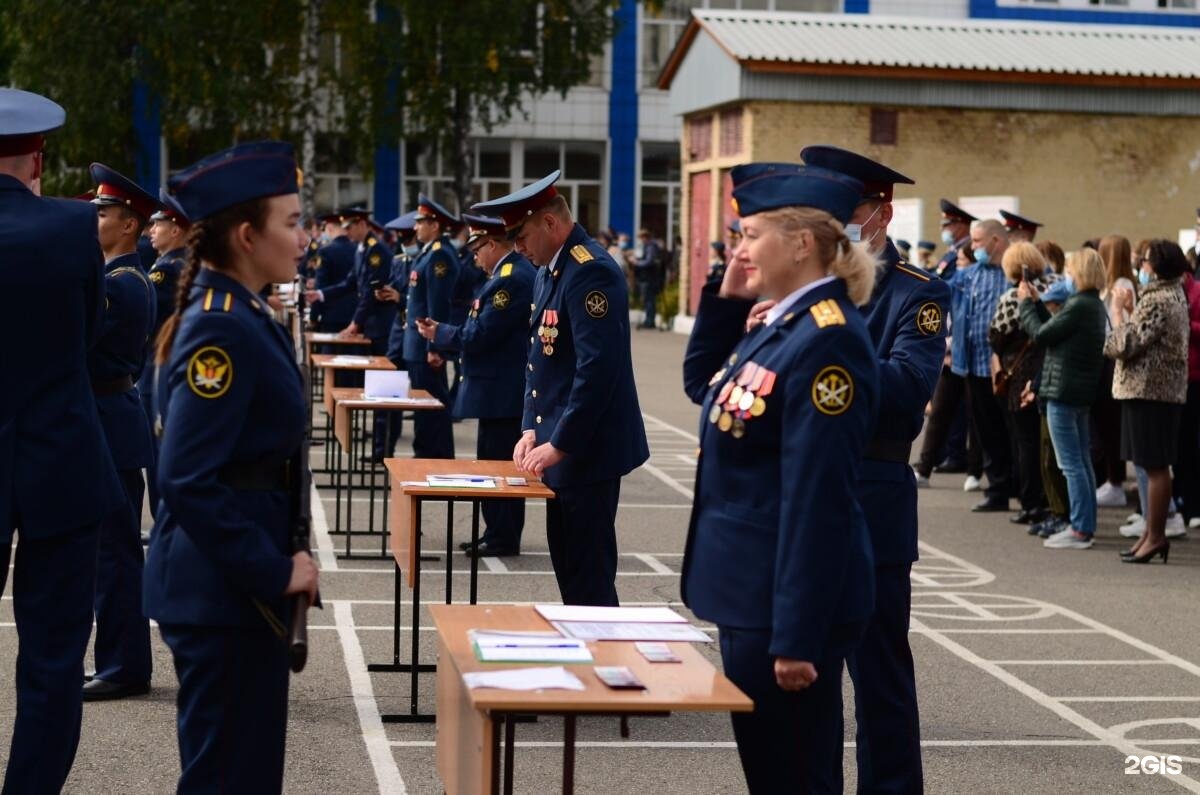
(975, 292)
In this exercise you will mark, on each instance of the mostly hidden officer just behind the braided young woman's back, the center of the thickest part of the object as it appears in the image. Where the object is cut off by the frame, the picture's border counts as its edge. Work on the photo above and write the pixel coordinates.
(169, 234)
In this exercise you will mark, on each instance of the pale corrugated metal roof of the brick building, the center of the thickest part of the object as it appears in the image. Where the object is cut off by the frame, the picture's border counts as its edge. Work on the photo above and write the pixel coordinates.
(949, 50)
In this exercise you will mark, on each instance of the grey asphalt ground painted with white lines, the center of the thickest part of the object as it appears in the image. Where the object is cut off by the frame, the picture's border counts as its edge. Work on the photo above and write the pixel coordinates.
(1039, 671)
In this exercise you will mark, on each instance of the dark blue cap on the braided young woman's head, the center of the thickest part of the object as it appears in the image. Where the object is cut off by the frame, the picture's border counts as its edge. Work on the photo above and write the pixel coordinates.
(238, 175)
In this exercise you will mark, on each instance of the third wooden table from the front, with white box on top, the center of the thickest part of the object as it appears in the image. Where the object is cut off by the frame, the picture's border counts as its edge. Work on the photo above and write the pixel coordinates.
(349, 403)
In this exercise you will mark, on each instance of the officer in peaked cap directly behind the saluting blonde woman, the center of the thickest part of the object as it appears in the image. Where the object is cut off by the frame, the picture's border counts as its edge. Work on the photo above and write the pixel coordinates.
(905, 319)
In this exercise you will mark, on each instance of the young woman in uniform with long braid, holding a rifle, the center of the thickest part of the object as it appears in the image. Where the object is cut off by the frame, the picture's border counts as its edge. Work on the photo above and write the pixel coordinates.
(231, 409)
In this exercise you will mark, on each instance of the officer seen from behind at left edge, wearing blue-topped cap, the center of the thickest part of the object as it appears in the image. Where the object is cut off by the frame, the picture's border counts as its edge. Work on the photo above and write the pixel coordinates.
(52, 302)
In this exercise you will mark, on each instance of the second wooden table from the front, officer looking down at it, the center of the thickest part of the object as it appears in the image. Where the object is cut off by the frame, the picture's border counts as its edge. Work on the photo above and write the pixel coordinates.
(405, 527)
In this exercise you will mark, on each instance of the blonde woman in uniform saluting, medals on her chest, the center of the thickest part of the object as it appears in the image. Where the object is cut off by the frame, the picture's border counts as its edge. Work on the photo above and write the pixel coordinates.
(778, 554)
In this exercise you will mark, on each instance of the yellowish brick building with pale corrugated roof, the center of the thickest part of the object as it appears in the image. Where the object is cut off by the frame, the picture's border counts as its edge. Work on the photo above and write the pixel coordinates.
(1089, 128)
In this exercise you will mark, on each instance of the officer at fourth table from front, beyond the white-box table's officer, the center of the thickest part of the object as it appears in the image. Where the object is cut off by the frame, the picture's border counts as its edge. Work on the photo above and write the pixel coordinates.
(430, 290)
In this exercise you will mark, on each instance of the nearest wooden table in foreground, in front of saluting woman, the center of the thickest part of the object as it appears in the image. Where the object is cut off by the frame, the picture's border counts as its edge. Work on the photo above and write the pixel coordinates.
(470, 722)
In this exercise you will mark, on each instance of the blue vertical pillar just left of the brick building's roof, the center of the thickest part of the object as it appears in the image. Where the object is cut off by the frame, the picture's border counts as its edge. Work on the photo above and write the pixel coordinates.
(623, 121)
